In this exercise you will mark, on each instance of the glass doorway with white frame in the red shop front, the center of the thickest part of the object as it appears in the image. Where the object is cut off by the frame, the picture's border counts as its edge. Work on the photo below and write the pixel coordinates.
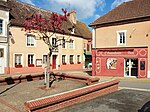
(131, 67)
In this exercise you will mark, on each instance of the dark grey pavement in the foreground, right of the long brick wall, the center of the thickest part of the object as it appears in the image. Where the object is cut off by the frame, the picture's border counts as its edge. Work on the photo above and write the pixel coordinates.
(120, 101)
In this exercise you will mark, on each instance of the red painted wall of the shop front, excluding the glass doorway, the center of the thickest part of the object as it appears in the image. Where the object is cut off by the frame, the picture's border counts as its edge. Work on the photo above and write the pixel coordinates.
(102, 56)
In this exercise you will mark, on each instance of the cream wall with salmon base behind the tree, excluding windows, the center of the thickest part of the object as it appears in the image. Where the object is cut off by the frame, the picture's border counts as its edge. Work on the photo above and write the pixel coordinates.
(18, 45)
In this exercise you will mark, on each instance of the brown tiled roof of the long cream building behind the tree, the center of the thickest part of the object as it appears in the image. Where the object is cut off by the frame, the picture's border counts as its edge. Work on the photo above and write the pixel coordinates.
(21, 11)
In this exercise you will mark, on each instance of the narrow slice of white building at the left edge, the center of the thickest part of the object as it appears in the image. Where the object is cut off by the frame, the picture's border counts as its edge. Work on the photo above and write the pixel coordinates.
(4, 22)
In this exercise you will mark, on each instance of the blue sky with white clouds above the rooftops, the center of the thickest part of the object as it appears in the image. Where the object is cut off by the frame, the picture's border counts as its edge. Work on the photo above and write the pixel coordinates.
(87, 10)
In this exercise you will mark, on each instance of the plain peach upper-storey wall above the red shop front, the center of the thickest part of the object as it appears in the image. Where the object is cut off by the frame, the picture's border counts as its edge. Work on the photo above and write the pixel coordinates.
(106, 37)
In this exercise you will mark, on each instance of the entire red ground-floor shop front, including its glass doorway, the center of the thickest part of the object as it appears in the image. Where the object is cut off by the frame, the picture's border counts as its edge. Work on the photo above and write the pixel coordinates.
(120, 62)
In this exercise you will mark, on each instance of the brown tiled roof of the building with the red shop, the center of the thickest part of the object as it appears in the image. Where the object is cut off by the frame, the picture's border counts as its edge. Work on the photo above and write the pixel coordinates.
(134, 9)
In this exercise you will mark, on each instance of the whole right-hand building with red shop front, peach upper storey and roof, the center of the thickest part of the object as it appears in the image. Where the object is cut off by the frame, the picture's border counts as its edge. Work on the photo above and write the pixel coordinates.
(121, 41)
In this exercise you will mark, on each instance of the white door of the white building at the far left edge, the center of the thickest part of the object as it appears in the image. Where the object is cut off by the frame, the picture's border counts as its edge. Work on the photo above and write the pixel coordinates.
(2, 62)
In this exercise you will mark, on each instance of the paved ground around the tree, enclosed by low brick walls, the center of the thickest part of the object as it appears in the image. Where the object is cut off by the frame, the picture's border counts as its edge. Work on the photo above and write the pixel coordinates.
(12, 97)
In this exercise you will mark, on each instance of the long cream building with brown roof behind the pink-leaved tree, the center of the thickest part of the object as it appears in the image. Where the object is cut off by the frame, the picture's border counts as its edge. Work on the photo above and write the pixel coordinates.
(29, 53)
